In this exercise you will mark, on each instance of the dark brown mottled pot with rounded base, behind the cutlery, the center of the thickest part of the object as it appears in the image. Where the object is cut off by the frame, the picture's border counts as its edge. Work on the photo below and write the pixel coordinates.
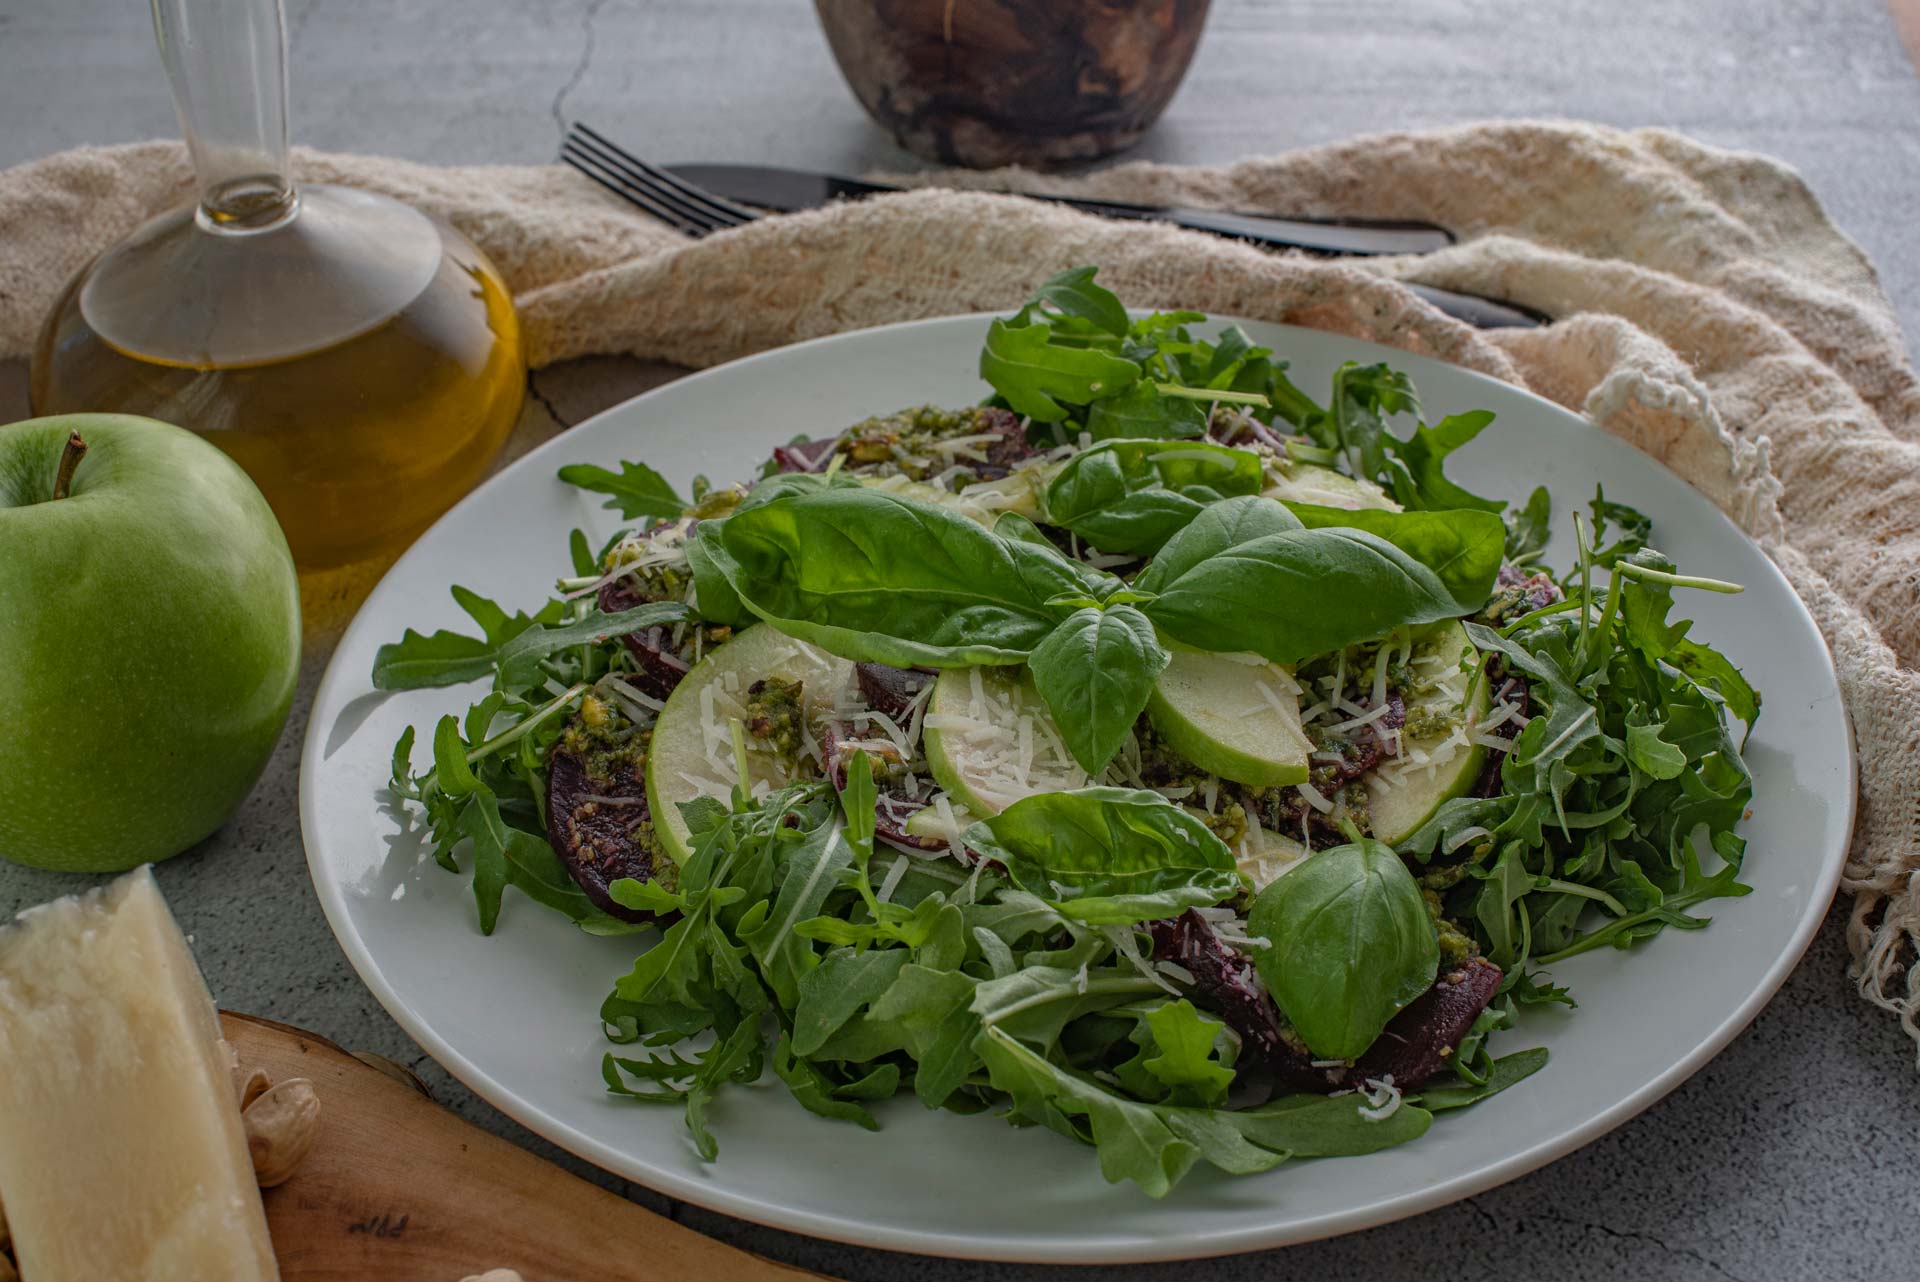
(1038, 83)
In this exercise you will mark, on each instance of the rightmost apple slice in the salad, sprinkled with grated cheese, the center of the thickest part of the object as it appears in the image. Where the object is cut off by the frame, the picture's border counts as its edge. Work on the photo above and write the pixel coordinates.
(1451, 694)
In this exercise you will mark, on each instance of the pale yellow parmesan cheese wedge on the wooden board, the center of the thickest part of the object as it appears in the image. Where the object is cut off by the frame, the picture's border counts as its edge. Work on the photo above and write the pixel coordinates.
(122, 1151)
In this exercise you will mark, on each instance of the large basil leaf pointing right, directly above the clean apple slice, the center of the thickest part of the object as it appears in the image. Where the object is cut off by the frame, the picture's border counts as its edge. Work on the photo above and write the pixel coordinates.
(1299, 594)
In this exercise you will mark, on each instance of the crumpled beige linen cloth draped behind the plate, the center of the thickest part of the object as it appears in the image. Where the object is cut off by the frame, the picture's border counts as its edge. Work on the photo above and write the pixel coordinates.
(1710, 314)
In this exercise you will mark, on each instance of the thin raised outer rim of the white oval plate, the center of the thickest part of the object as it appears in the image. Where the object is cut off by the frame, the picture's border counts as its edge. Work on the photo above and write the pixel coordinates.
(1051, 1250)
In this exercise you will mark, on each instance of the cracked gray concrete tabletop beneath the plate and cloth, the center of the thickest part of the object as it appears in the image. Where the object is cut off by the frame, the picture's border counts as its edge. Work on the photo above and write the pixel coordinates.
(1792, 1156)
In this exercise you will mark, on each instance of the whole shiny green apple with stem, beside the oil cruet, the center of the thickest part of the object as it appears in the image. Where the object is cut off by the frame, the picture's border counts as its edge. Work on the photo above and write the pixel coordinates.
(149, 640)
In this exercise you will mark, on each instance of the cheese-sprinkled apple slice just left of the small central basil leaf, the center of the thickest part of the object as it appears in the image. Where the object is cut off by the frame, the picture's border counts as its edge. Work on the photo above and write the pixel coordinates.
(990, 740)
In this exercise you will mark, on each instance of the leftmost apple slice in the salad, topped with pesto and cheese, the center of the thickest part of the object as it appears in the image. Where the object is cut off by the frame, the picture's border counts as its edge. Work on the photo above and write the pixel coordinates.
(692, 749)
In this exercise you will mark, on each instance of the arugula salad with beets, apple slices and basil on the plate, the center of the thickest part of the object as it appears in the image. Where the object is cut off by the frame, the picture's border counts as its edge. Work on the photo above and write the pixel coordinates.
(1151, 753)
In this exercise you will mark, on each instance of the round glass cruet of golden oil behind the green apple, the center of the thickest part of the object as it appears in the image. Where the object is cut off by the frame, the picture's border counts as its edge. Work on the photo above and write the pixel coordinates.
(356, 356)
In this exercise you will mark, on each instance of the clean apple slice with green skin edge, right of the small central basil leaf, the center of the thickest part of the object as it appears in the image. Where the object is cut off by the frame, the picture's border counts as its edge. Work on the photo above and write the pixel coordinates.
(1232, 715)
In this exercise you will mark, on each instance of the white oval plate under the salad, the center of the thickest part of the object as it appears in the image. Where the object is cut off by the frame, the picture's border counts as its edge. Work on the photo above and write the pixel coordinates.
(516, 1016)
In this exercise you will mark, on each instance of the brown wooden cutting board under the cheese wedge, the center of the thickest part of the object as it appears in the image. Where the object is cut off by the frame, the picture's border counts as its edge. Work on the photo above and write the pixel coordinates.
(402, 1191)
